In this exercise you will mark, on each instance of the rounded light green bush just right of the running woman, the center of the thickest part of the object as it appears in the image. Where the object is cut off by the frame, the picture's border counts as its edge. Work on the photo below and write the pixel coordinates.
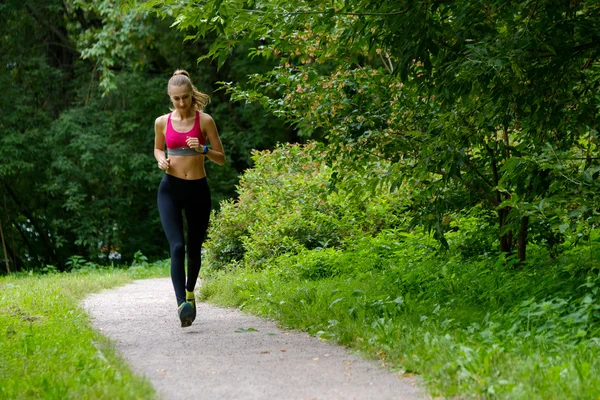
(285, 204)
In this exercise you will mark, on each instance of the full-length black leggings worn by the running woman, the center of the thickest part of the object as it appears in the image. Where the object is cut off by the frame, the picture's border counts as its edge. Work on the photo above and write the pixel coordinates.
(192, 196)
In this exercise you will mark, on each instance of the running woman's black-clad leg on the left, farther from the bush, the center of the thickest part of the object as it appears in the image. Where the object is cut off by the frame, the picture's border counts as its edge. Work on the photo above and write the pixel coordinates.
(172, 222)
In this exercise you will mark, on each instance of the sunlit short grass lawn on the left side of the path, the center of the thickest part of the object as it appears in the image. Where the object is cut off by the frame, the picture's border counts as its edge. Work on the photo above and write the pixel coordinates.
(48, 348)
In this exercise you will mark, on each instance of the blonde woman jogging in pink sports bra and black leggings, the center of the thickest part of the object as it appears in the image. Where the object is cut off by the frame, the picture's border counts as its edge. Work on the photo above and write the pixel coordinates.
(186, 131)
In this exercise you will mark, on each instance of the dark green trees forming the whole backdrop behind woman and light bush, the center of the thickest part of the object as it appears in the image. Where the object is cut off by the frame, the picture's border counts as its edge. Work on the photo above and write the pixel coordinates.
(493, 106)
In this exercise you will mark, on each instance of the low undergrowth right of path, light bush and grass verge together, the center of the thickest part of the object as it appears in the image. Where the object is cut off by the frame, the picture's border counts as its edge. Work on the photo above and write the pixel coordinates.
(471, 320)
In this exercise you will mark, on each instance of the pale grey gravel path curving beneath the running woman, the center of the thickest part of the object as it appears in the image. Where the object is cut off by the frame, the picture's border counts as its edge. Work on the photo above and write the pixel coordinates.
(227, 354)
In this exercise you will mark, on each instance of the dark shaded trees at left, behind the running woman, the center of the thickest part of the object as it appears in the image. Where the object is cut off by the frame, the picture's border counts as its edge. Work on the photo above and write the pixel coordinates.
(78, 113)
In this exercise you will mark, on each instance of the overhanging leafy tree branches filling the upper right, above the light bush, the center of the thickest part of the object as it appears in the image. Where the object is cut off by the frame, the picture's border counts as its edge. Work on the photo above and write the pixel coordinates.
(489, 103)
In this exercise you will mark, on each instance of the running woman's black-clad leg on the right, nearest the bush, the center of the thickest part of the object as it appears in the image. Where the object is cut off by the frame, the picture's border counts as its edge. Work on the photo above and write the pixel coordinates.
(197, 213)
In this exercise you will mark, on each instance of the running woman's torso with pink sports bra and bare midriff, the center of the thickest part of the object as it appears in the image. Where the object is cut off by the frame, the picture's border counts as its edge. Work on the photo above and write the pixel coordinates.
(184, 167)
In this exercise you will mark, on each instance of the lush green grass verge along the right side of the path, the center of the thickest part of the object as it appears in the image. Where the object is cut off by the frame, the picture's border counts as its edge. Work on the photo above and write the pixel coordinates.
(472, 328)
